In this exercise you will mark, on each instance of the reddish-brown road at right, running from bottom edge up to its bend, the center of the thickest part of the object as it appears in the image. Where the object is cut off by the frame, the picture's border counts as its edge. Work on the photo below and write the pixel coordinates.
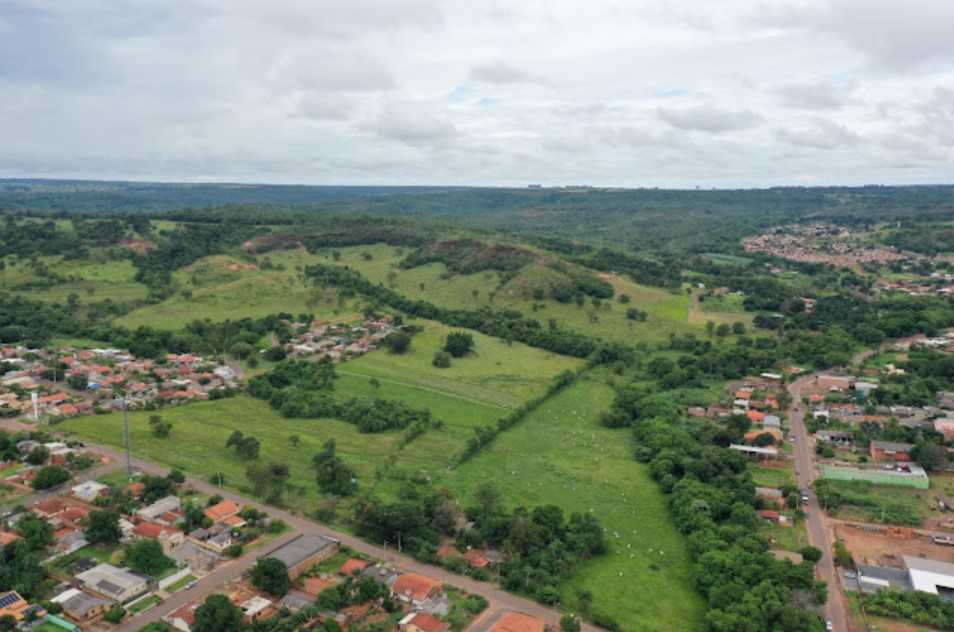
(836, 609)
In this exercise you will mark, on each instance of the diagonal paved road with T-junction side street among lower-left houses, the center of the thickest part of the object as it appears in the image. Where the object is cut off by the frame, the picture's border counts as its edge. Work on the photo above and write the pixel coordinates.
(499, 601)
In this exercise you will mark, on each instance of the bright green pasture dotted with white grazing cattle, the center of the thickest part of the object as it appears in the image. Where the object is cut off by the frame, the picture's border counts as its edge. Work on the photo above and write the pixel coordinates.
(561, 454)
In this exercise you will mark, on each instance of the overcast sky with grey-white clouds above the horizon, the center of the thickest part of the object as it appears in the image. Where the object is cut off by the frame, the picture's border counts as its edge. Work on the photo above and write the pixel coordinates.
(628, 93)
